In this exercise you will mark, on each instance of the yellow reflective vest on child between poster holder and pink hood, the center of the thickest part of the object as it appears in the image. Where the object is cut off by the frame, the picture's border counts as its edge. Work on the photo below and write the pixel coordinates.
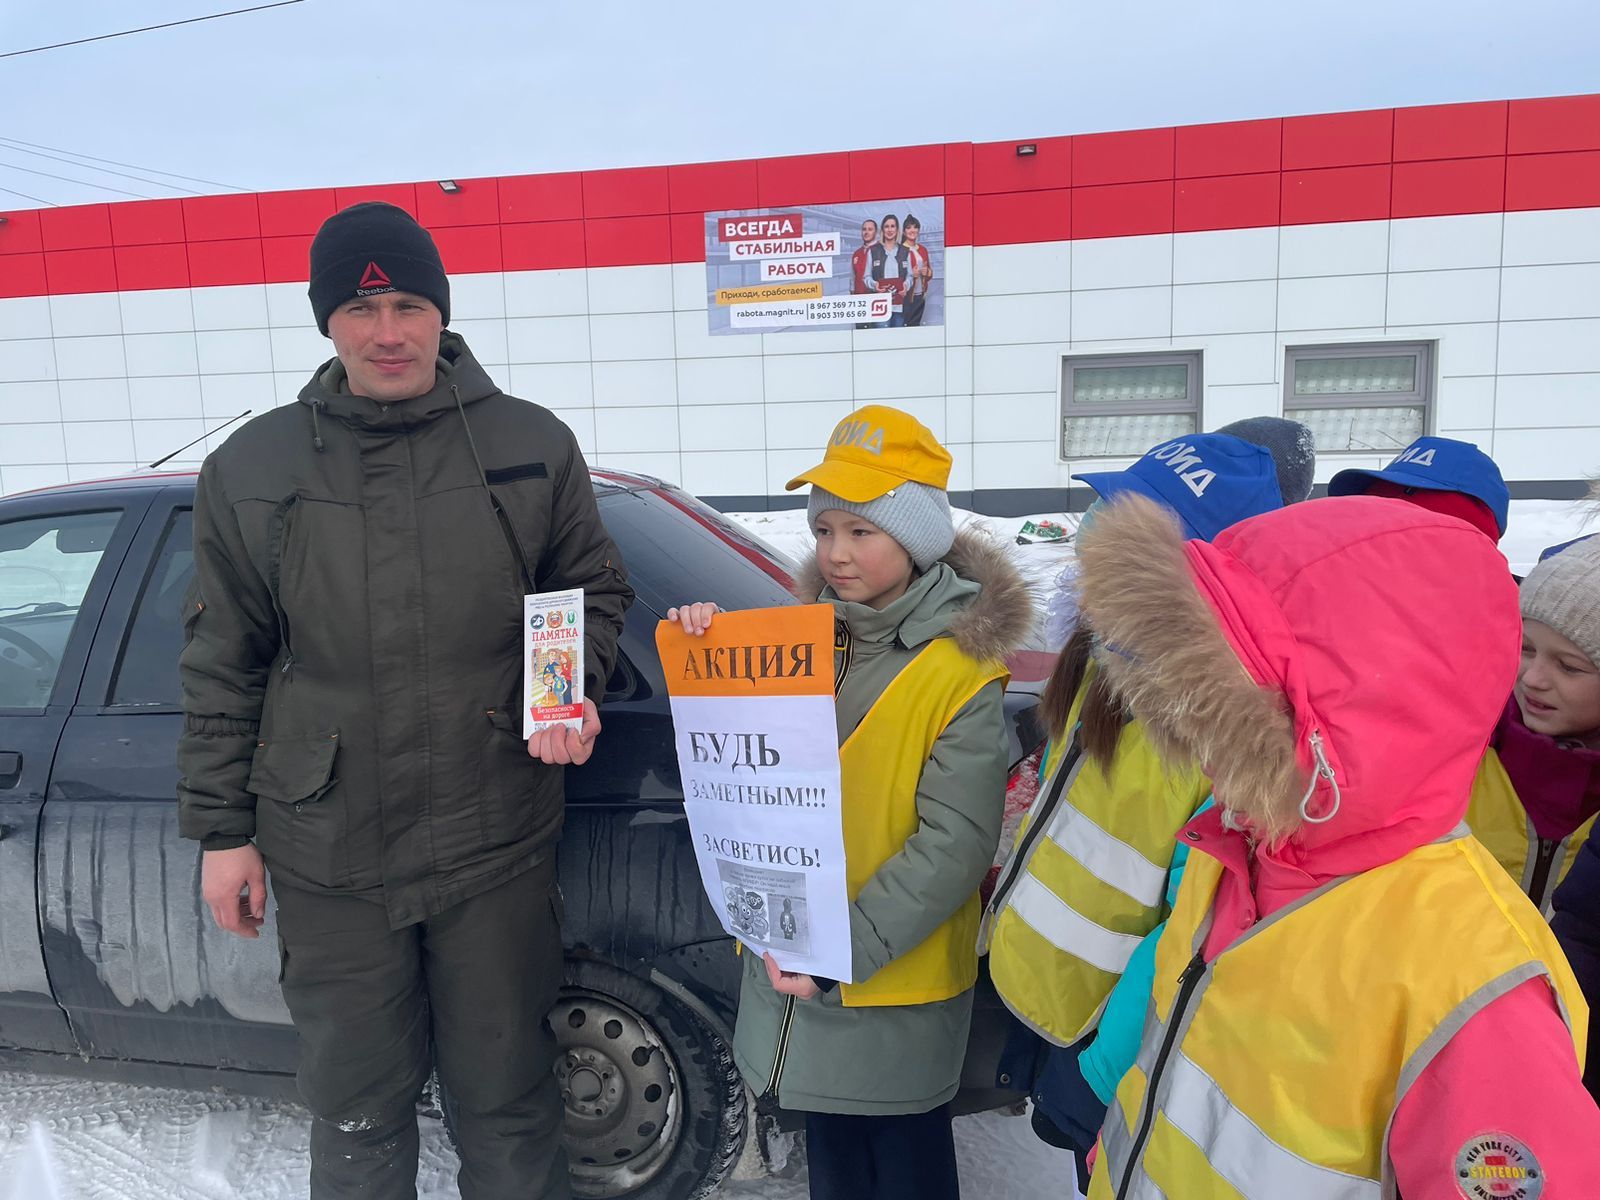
(1087, 881)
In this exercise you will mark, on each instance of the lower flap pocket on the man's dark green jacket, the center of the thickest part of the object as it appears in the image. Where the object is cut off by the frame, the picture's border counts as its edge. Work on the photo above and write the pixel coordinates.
(300, 818)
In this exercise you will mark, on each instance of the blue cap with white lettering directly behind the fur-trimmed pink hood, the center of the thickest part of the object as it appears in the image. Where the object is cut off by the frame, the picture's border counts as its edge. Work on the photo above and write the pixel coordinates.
(1210, 481)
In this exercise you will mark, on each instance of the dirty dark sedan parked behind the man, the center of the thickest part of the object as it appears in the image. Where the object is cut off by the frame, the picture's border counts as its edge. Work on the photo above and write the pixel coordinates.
(111, 966)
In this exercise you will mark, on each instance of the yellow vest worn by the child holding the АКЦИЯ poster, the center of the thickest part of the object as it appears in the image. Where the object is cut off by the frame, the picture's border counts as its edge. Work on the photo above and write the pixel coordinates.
(881, 766)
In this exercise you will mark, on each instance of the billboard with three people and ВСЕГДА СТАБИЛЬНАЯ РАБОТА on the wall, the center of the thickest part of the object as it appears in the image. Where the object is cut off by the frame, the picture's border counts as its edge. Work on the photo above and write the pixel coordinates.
(876, 265)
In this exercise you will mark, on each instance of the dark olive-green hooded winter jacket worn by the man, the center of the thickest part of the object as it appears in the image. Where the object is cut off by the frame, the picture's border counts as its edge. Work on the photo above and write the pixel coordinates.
(353, 663)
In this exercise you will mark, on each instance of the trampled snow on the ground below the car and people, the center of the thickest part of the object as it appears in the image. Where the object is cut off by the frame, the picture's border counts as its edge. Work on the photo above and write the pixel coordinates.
(73, 1140)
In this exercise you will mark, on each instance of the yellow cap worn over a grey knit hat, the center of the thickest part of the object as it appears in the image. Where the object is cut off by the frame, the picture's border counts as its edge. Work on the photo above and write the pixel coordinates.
(876, 449)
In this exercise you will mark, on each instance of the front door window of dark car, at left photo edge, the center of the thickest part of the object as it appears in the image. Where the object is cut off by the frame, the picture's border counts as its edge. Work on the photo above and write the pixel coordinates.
(47, 566)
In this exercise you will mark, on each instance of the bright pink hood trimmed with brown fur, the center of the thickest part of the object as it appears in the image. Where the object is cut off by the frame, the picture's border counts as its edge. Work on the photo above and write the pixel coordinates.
(1346, 658)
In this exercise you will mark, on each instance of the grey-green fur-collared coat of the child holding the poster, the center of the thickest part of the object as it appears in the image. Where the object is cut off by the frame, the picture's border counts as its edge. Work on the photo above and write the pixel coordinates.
(902, 1060)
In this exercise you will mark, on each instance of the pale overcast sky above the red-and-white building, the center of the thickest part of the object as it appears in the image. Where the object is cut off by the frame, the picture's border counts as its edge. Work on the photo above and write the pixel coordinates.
(345, 92)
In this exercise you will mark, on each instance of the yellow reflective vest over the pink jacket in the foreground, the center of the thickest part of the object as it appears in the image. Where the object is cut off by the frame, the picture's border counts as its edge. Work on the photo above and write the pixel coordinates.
(1276, 1070)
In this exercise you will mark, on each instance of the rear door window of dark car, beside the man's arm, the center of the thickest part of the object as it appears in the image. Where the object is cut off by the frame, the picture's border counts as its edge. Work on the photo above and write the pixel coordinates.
(148, 670)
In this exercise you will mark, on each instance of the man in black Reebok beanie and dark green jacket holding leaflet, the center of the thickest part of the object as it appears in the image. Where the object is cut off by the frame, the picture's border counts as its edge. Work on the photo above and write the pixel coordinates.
(353, 678)
